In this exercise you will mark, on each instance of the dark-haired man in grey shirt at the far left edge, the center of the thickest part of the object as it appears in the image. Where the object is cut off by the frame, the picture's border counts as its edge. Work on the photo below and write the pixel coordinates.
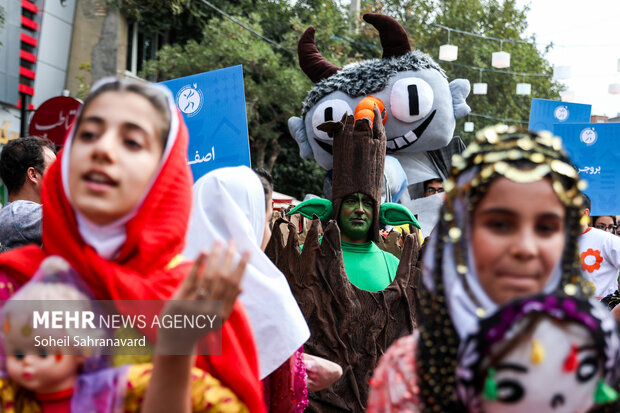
(23, 163)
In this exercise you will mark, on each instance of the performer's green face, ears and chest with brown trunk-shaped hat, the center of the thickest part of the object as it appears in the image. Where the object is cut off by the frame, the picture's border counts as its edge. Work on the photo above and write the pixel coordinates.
(355, 203)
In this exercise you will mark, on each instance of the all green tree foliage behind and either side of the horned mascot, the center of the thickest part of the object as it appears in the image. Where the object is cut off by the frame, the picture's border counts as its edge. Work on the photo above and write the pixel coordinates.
(202, 39)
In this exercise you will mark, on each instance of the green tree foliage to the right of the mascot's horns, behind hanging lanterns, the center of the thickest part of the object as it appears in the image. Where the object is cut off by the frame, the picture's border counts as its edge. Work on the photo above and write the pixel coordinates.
(501, 19)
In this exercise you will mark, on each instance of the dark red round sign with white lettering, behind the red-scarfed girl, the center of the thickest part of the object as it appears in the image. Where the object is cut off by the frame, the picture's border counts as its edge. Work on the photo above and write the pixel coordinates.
(54, 118)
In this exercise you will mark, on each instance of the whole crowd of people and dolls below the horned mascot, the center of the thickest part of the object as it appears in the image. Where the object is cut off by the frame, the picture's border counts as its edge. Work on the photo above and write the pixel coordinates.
(496, 311)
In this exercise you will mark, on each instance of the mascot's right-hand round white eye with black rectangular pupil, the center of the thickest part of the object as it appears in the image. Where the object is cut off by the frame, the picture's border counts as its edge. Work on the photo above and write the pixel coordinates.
(411, 99)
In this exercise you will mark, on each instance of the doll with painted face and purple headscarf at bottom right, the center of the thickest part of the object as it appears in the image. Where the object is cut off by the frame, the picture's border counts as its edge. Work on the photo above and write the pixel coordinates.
(546, 353)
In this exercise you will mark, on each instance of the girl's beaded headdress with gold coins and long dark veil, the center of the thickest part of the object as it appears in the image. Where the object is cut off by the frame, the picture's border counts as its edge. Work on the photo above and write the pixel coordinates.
(499, 151)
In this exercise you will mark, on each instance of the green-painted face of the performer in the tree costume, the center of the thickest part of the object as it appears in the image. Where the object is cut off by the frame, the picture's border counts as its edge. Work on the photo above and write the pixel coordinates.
(355, 218)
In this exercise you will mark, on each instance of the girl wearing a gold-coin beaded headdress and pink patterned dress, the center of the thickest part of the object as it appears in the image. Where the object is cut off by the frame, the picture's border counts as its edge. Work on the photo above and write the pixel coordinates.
(508, 229)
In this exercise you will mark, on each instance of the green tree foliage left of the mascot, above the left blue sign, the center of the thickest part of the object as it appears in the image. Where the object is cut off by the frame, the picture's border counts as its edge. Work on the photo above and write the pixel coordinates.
(274, 84)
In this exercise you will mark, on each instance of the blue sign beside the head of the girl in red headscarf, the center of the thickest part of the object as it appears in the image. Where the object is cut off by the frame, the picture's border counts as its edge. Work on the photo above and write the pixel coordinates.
(213, 106)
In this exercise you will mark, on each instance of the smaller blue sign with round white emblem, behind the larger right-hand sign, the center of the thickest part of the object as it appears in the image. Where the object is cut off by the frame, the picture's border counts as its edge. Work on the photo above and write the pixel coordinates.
(545, 113)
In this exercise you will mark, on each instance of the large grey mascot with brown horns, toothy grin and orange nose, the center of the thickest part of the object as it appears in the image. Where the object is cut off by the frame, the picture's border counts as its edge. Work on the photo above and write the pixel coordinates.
(421, 107)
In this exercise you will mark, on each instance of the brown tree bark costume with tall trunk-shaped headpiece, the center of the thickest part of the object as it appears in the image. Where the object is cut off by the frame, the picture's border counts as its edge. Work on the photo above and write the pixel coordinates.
(349, 326)
